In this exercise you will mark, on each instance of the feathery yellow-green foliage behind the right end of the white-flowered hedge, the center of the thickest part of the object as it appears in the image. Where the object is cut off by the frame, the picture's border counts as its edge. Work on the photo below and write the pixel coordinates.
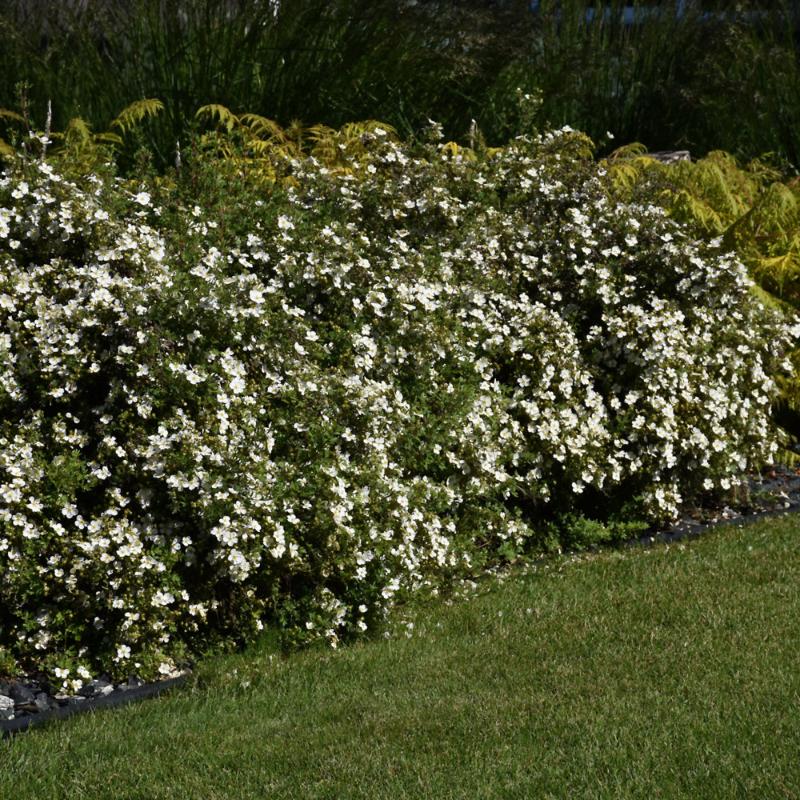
(750, 208)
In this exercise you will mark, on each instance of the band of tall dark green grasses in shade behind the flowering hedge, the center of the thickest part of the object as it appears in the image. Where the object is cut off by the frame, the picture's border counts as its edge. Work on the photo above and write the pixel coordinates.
(708, 79)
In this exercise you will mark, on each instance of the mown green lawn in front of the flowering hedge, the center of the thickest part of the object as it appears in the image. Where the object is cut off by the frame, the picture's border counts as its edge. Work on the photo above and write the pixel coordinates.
(667, 672)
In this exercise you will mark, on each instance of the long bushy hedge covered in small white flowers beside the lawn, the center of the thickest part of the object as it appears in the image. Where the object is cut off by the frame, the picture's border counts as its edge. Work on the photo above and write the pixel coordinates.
(295, 407)
